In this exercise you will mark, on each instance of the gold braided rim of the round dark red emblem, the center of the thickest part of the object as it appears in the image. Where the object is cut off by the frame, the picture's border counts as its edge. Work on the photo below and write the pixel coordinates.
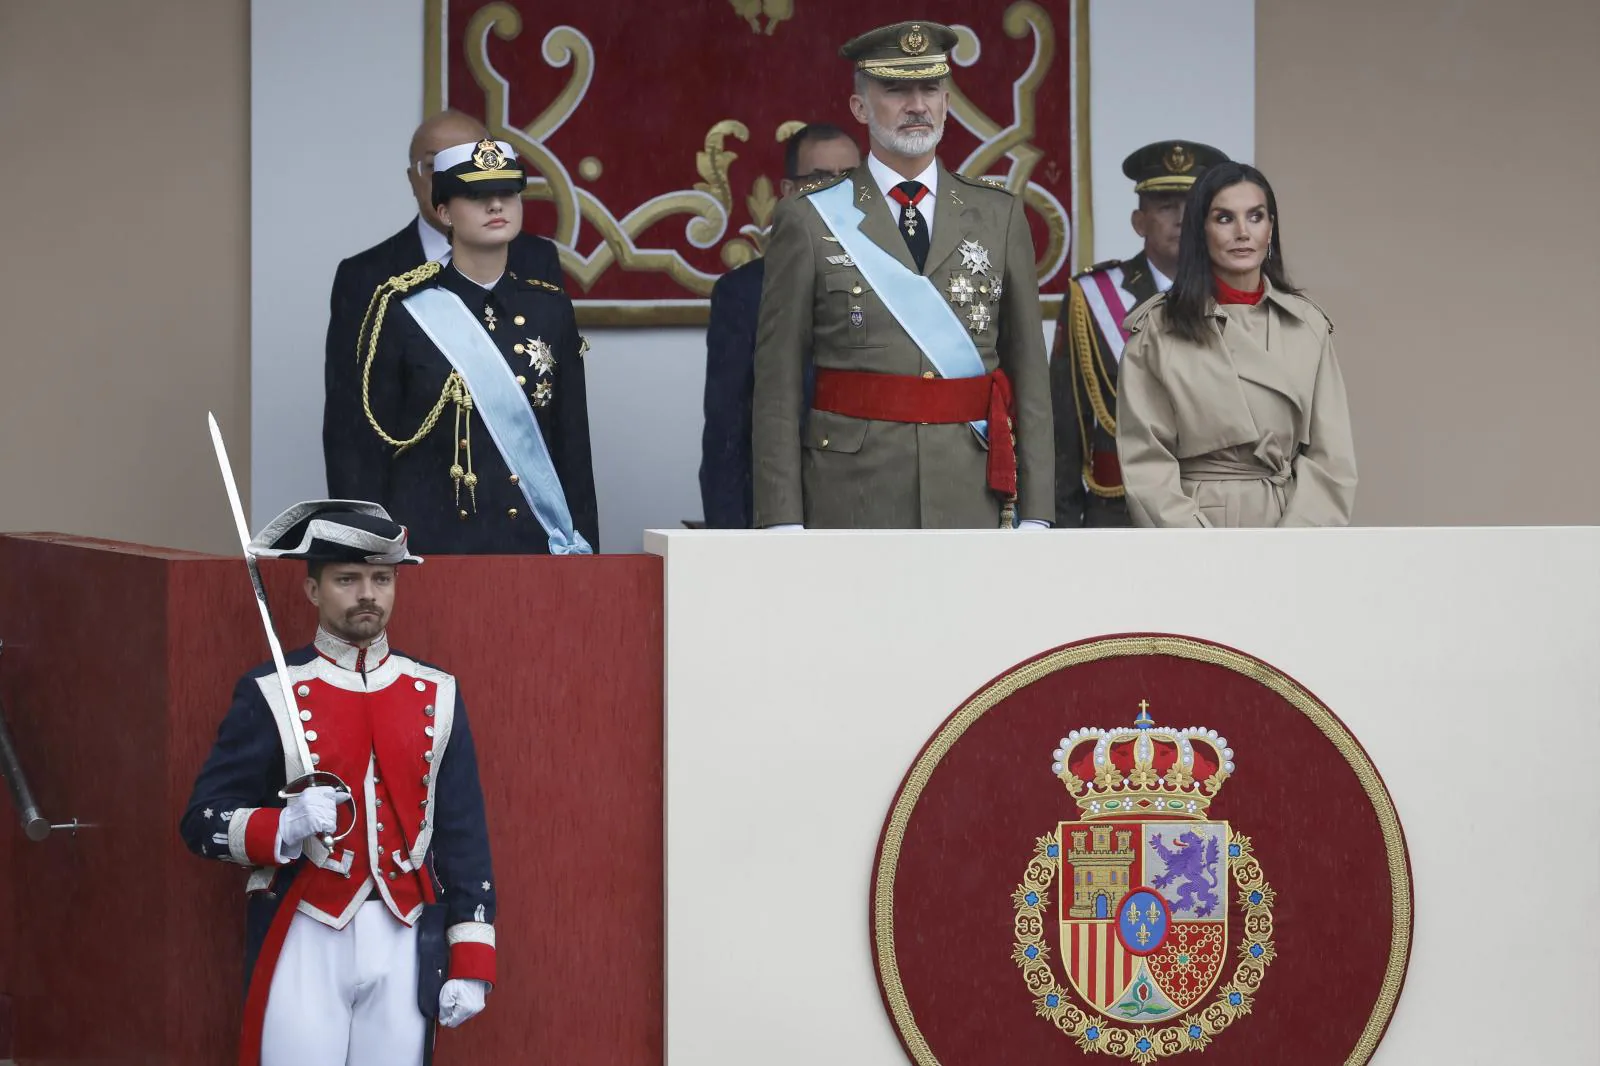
(1127, 647)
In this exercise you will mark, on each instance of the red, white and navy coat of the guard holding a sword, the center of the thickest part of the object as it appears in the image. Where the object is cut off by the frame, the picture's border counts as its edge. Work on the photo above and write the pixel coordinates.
(396, 731)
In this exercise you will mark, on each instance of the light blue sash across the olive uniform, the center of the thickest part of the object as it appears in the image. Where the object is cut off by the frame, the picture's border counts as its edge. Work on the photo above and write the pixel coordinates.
(911, 299)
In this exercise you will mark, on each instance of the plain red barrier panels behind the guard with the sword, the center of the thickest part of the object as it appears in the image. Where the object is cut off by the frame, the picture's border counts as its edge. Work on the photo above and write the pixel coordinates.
(119, 665)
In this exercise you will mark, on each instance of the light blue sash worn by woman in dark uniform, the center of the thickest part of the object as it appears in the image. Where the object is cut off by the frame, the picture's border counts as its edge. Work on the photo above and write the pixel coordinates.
(497, 396)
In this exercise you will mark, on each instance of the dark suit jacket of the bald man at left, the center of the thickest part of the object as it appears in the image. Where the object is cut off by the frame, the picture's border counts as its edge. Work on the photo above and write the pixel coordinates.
(354, 284)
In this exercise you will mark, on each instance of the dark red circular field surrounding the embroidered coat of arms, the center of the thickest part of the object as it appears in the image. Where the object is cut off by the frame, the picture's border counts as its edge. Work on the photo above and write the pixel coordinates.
(972, 833)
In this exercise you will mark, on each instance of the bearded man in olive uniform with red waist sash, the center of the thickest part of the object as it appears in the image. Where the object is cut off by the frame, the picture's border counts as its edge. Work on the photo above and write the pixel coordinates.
(914, 292)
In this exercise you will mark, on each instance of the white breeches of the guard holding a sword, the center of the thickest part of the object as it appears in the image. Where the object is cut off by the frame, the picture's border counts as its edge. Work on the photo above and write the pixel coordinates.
(345, 998)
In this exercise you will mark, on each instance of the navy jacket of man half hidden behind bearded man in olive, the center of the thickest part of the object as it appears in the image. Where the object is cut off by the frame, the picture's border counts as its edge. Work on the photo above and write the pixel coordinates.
(730, 388)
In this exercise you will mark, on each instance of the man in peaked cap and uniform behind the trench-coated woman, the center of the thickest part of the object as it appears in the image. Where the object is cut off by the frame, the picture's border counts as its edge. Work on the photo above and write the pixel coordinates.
(1090, 334)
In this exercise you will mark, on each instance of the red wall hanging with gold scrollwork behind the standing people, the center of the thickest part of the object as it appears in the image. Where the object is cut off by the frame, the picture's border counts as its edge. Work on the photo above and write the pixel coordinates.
(663, 78)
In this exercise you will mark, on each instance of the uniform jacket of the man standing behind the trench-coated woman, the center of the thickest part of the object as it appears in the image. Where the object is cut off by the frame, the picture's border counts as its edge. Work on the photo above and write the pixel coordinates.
(1084, 393)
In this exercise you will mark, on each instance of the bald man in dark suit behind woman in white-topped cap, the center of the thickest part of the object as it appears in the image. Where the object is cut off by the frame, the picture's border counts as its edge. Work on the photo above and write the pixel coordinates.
(358, 279)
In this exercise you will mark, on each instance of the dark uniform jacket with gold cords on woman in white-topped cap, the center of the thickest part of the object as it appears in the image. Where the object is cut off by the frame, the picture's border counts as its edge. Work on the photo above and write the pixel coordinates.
(537, 332)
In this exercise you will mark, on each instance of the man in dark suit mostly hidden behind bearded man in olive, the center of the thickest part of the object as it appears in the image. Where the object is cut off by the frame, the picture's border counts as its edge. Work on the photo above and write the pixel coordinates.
(815, 153)
